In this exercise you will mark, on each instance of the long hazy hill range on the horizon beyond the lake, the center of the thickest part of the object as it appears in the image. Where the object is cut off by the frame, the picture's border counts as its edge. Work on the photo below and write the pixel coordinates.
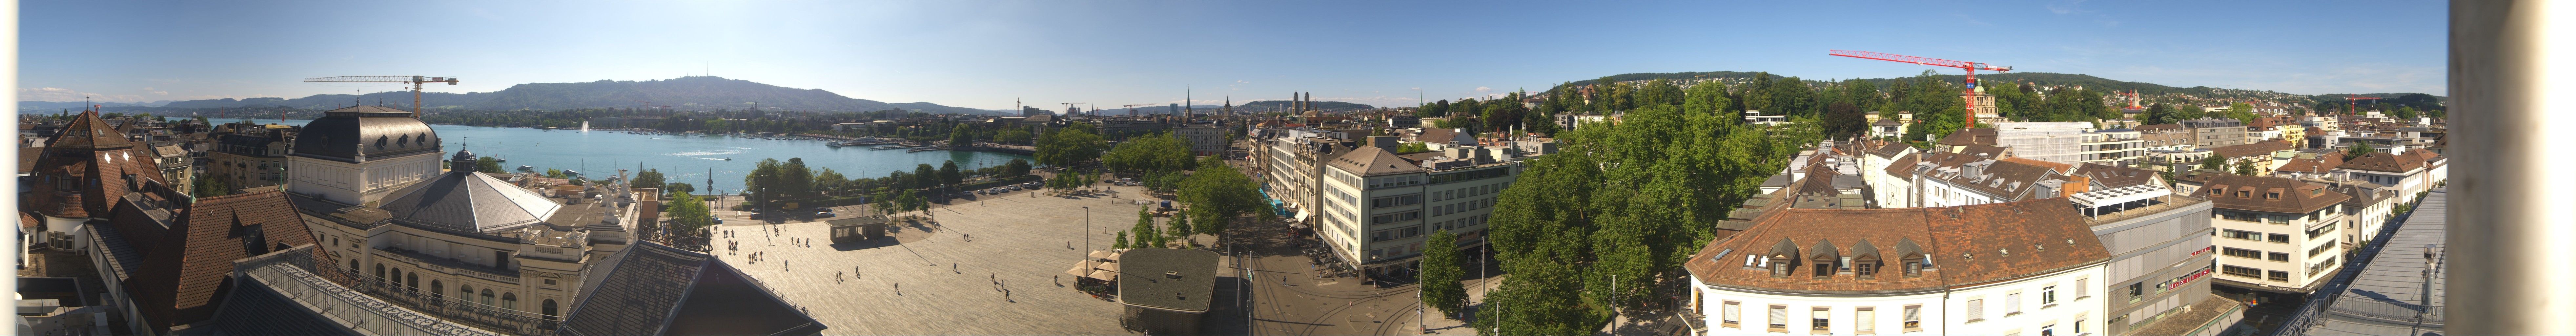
(699, 92)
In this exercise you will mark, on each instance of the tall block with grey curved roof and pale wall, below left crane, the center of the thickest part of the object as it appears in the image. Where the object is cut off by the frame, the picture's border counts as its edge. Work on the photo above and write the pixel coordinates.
(359, 154)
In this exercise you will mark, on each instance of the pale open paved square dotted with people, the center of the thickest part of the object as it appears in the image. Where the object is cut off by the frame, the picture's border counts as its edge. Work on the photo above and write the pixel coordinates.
(1016, 242)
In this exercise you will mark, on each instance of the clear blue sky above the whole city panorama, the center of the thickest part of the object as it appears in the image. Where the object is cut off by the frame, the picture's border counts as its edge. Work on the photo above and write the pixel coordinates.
(985, 56)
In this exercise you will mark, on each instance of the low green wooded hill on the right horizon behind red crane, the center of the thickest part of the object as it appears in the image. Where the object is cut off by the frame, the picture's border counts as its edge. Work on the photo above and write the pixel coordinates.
(2152, 92)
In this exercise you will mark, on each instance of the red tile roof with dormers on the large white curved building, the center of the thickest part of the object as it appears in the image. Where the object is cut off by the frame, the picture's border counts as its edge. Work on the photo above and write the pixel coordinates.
(1967, 247)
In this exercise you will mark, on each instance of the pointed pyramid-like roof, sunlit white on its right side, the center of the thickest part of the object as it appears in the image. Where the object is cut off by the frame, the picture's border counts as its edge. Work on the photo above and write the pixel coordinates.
(473, 203)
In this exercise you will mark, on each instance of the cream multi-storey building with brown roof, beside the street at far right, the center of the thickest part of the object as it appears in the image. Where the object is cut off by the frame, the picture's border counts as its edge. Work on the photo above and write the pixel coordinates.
(2276, 234)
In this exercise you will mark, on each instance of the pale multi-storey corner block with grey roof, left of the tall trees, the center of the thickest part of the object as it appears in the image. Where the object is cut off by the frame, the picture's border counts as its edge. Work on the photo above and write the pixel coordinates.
(1379, 208)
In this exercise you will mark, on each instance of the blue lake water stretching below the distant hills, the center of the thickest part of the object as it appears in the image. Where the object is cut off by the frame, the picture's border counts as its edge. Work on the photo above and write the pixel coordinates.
(684, 159)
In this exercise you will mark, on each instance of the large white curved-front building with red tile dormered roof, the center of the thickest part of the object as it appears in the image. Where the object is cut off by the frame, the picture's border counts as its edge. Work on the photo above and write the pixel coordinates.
(2023, 268)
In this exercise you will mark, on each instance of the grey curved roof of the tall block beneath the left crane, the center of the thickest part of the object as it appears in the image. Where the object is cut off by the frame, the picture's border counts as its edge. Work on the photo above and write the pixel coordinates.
(362, 133)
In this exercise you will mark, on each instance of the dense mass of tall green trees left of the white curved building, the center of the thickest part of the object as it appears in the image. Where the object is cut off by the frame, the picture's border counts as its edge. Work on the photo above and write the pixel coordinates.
(1624, 205)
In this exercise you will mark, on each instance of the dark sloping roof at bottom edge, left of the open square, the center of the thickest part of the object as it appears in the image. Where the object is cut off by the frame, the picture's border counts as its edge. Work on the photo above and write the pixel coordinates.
(663, 291)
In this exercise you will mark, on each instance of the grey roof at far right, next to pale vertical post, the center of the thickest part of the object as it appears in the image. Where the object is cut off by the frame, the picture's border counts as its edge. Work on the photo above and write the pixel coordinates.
(2387, 293)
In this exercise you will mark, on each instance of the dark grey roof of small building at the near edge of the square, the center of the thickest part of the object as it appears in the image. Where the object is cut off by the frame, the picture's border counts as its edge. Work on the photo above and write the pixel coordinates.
(1142, 280)
